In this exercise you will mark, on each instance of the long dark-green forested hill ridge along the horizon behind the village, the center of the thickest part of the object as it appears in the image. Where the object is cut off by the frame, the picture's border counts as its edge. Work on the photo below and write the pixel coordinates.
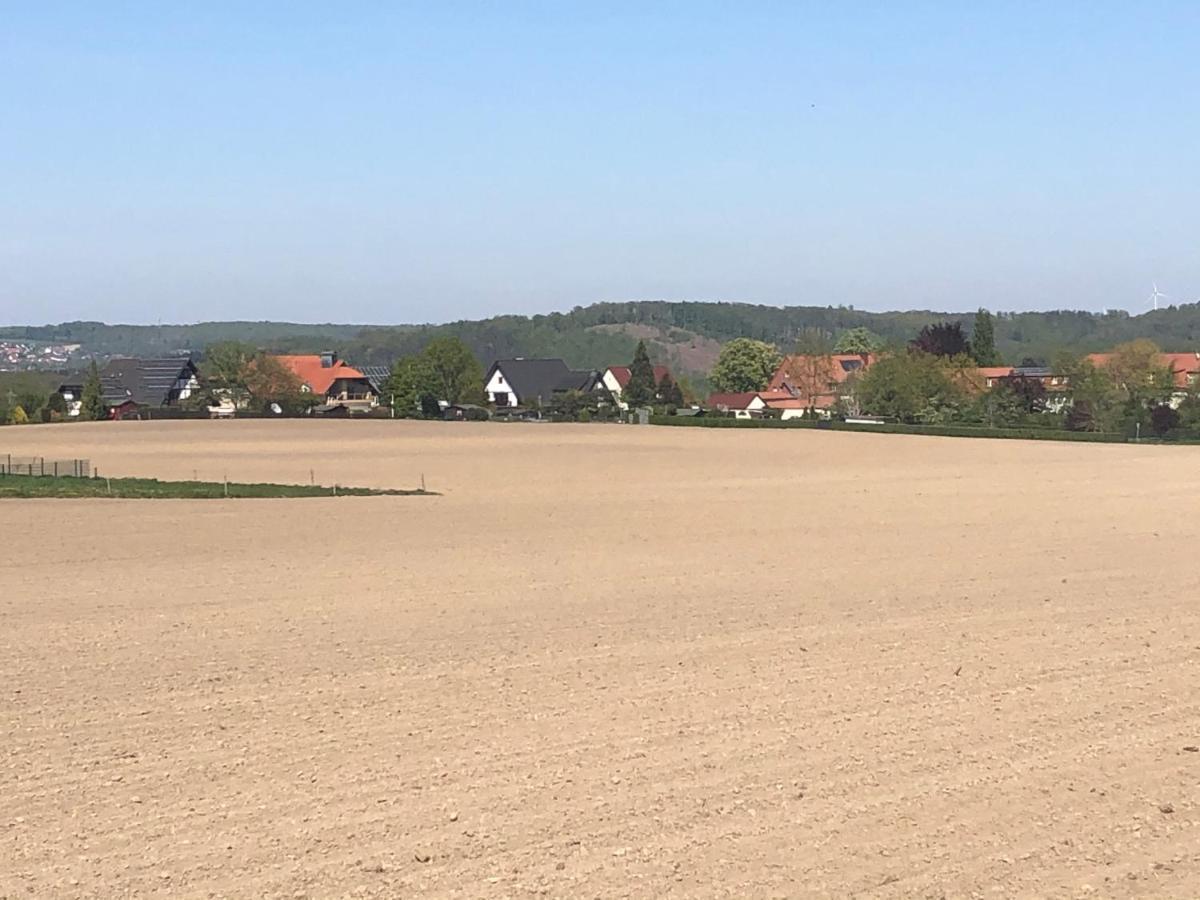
(687, 335)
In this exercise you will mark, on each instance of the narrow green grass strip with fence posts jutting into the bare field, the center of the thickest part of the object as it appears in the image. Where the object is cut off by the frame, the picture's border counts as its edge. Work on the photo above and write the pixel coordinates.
(149, 489)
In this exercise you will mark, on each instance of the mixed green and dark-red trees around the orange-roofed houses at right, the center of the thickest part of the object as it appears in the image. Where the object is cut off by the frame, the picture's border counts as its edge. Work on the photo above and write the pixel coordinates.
(937, 380)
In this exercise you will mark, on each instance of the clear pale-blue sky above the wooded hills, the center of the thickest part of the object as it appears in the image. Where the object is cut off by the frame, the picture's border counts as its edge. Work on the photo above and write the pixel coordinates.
(409, 163)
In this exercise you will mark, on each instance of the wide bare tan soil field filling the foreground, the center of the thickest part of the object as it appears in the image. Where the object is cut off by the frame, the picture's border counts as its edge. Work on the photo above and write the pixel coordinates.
(607, 662)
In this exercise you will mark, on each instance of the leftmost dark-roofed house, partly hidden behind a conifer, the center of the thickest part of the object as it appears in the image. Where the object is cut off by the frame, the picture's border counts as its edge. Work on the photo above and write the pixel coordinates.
(129, 386)
